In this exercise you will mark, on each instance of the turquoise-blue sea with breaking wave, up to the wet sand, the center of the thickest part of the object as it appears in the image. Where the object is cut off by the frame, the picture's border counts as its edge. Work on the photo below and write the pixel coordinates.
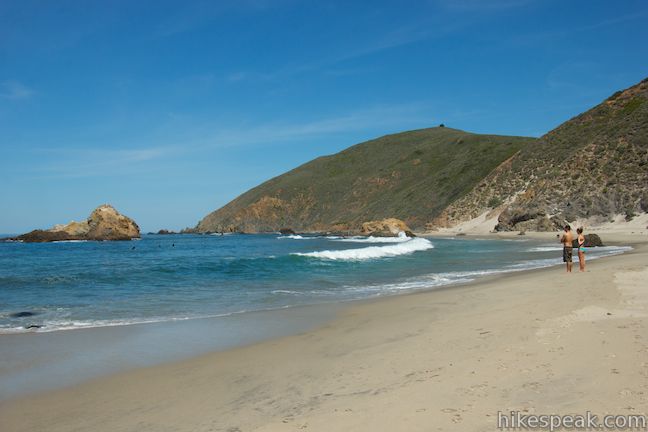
(67, 285)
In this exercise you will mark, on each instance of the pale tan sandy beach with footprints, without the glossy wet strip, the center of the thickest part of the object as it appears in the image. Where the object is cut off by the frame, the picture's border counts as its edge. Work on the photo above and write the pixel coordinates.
(538, 342)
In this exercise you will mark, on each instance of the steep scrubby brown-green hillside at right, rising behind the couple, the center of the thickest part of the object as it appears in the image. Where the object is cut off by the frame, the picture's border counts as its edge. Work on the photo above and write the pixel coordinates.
(592, 166)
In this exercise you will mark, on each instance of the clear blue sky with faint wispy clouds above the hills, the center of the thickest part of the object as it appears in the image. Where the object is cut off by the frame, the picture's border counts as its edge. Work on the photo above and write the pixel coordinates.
(168, 110)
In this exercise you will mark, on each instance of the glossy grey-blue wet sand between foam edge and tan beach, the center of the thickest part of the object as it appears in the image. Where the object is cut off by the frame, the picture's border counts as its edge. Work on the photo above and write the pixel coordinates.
(39, 362)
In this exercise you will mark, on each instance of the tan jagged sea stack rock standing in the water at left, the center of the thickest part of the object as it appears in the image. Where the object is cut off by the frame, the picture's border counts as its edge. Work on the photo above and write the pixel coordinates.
(104, 223)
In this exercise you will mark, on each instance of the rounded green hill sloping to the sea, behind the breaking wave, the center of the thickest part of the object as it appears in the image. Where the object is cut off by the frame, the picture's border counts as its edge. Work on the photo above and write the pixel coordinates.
(412, 176)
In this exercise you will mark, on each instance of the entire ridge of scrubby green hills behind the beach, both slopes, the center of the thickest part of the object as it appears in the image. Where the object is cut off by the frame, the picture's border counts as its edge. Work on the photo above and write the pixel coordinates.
(594, 166)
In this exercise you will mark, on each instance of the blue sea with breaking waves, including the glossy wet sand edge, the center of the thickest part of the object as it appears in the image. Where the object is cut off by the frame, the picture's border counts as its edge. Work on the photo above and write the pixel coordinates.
(165, 298)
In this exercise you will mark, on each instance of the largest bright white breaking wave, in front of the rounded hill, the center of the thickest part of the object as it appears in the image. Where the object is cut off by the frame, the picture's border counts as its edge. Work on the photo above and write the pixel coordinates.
(373, 252)
